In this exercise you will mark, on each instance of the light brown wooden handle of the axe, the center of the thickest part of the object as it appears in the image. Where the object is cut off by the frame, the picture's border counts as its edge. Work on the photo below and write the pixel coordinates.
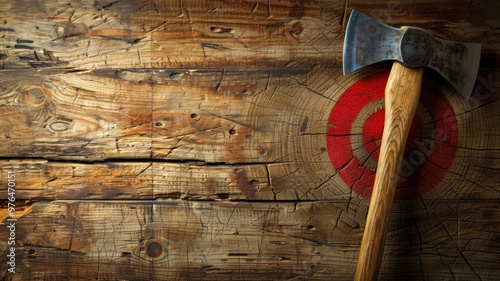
(401, 99)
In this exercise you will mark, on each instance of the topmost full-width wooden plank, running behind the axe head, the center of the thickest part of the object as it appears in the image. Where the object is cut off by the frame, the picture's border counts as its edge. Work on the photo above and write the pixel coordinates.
(215, 34)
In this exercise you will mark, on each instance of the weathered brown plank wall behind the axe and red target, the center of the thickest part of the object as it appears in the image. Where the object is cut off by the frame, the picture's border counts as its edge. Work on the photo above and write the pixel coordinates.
(186, 140)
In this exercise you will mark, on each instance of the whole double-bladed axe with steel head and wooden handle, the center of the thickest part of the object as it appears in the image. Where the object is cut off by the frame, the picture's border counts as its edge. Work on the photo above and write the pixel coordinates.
(368, 41)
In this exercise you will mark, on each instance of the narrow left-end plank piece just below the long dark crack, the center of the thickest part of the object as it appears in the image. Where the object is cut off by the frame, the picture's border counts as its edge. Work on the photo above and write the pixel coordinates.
(43, 180)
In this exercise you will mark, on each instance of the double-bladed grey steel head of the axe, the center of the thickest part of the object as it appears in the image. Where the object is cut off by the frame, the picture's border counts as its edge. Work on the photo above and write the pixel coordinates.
(368, 41)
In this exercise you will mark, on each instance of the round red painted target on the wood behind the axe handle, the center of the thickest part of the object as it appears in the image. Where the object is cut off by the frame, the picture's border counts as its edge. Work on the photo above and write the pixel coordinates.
(355, 131)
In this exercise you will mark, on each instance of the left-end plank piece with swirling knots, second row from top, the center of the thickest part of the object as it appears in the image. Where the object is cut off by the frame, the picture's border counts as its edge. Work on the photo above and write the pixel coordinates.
(74, 116)
